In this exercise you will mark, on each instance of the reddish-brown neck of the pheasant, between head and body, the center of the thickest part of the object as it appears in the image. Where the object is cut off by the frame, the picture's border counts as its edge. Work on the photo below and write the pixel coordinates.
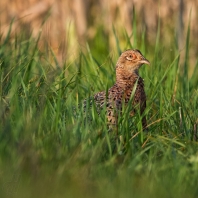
(126, 79)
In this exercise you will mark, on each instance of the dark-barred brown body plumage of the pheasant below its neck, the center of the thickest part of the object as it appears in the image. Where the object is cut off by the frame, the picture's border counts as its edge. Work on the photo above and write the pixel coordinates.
(117, 95)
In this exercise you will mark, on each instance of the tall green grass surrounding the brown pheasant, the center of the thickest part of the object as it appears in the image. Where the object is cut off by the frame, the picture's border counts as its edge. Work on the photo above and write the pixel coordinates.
(49, 147)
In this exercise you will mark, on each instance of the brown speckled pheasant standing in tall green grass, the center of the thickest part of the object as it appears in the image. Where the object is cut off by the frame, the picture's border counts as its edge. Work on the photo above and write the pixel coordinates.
(127, 79)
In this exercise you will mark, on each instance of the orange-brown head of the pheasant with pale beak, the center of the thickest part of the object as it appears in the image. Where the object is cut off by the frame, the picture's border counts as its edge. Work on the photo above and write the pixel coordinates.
(131, 60)
